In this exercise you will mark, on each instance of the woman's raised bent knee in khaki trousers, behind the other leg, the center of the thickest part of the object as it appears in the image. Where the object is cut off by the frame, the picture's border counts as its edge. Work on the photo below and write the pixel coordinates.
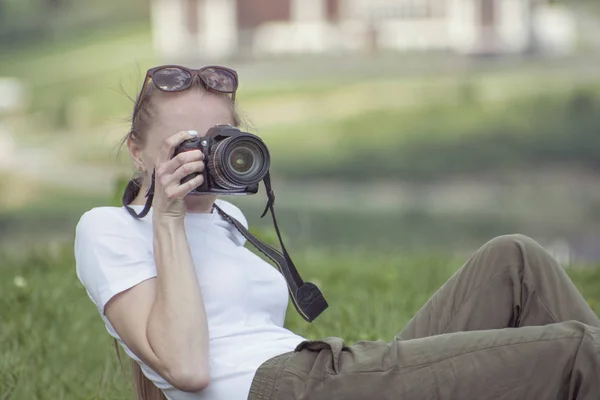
(511, 281)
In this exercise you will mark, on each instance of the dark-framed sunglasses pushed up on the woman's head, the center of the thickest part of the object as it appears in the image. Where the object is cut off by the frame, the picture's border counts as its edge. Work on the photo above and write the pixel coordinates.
(174, 78)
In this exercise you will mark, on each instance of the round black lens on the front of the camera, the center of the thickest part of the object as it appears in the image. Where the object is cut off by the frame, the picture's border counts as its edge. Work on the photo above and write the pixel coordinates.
(238, 162)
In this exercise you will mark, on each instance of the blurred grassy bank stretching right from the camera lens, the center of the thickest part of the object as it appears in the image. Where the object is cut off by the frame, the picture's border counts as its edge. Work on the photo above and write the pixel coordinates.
(462, 138)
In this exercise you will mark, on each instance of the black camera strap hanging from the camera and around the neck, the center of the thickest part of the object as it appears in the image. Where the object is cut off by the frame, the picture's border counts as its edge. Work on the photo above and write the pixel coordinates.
(306, 297)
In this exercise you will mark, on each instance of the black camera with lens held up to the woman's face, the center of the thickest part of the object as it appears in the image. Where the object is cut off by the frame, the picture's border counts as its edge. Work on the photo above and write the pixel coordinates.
(235, 161)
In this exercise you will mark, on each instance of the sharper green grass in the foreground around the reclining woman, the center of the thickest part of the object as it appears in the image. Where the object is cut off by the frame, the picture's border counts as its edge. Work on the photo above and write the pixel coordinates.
(54, 345)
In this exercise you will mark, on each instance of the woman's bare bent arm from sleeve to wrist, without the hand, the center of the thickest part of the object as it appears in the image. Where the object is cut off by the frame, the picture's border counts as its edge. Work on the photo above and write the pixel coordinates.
(163, 320)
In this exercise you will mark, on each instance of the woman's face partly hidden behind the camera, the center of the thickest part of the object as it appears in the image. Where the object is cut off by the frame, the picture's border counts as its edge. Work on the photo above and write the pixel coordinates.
(194, 110)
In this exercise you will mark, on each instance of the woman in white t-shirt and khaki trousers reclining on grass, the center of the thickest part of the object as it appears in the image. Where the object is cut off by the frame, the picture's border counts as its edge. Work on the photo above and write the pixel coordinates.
(203, 317)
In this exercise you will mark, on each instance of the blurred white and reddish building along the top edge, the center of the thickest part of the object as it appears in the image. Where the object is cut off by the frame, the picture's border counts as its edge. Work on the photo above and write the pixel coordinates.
(224, 28)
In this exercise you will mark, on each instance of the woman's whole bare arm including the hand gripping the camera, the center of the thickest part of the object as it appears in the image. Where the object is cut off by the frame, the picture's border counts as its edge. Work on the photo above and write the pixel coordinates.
(163, 320)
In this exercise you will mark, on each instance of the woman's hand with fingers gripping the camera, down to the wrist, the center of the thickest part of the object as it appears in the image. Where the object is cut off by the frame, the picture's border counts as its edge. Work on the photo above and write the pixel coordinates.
(168, 189)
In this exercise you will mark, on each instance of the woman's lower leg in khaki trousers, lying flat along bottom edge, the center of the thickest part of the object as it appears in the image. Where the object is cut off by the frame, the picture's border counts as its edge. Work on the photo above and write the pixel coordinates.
(551, 362)
